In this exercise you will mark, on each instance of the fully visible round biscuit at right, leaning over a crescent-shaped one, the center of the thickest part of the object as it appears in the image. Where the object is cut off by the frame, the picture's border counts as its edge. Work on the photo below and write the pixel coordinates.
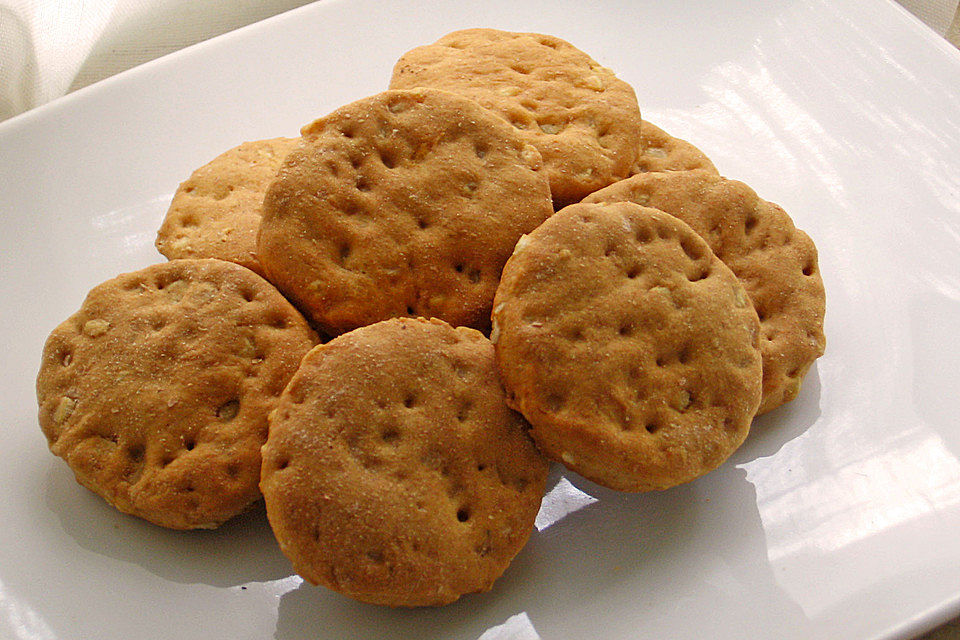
(628, 346)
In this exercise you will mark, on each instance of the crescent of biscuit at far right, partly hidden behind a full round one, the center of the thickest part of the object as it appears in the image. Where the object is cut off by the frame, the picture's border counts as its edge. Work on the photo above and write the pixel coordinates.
(776, 262)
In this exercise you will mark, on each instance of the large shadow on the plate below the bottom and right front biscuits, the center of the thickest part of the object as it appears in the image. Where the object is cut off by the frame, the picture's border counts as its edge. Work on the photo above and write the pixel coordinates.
(602, 558)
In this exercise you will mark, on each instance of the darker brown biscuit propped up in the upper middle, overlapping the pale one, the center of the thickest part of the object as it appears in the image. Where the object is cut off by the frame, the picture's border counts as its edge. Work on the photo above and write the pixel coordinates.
(406, 203)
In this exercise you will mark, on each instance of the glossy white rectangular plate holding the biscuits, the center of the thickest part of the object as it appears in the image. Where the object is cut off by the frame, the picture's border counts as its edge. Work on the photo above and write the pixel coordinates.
(838, 517)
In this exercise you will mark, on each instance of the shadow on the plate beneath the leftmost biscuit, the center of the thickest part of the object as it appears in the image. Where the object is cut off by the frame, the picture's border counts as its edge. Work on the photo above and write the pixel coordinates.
(242, 550)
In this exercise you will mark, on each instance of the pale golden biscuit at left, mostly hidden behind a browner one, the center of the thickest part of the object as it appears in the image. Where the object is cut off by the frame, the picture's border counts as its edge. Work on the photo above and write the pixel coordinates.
(215, 213)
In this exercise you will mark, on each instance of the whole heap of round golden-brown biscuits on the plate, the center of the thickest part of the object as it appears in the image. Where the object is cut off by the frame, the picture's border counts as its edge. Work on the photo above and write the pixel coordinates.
(387, 326)
